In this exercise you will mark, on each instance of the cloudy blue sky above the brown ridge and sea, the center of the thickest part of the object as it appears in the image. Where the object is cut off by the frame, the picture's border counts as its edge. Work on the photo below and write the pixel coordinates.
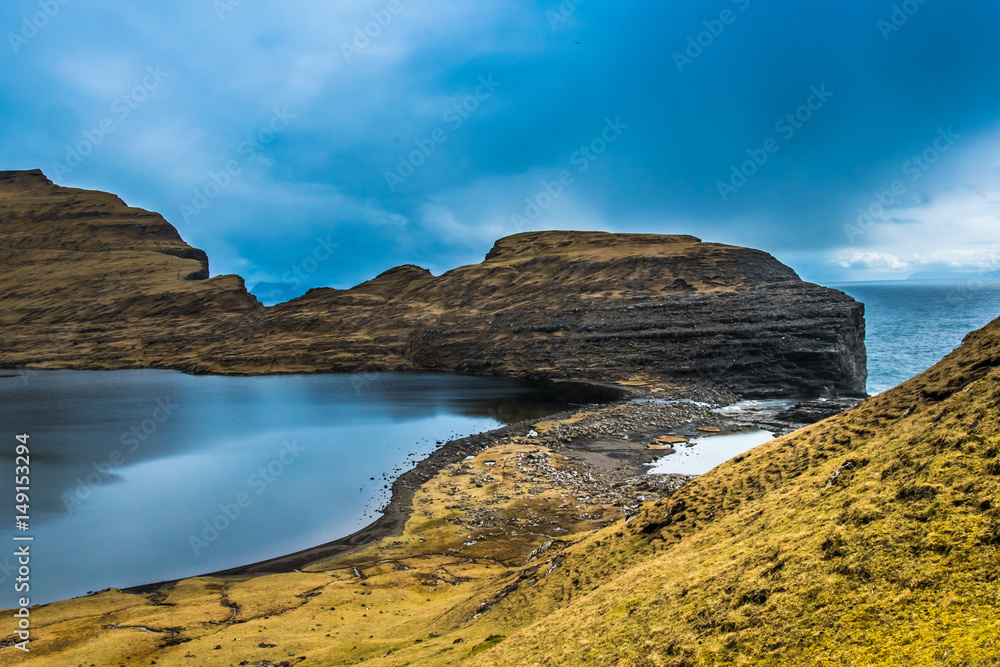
(306, 143)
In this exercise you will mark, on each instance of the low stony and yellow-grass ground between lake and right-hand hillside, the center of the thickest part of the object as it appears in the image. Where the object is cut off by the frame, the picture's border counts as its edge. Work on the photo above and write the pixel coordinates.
(479, 506)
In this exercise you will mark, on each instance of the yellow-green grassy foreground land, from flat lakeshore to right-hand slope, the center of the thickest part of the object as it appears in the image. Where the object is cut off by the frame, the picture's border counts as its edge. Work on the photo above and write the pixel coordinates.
(870, 538)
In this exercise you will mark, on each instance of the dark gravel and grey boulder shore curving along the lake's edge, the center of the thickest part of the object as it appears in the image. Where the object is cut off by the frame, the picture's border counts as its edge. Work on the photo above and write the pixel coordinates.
(604, 453)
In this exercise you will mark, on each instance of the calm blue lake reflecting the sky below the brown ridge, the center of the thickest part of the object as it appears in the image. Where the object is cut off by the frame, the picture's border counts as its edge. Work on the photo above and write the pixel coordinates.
(129, 467)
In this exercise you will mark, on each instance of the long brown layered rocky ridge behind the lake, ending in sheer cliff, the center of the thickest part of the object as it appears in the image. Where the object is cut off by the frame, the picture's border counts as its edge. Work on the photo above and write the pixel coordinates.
(91, 282)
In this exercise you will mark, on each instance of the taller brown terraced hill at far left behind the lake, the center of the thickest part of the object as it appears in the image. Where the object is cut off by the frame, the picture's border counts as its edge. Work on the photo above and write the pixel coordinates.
(88, 282)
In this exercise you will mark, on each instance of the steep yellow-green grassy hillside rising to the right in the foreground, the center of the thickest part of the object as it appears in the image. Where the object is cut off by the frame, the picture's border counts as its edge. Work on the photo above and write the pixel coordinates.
(869, 538)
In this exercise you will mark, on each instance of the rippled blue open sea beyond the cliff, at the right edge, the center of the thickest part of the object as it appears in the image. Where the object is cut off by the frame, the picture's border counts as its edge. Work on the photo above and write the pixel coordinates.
(911, 325)
